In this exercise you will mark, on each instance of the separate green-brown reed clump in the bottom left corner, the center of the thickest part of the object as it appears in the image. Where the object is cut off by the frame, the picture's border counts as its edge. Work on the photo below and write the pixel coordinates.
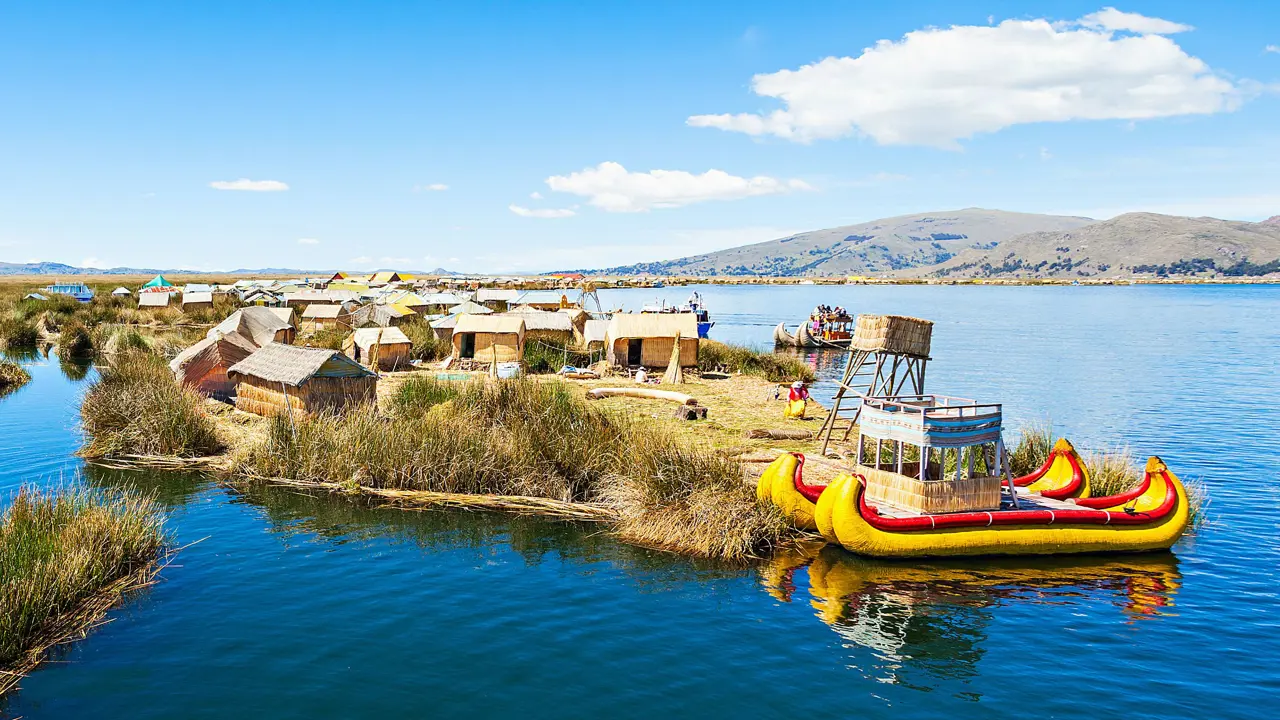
(66, 559)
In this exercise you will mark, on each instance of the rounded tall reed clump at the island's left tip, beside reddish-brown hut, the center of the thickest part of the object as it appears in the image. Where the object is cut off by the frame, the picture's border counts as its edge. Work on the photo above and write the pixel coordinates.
(136, 408)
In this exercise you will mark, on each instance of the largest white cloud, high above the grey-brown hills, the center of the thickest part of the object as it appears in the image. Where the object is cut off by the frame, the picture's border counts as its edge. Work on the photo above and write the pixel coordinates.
(938, 86)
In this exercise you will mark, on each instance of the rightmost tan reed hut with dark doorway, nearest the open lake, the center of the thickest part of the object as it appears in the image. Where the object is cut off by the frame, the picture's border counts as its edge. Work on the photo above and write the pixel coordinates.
(648, 339)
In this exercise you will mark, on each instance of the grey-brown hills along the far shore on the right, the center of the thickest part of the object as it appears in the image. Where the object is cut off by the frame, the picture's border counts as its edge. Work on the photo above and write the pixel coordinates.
(995, 244)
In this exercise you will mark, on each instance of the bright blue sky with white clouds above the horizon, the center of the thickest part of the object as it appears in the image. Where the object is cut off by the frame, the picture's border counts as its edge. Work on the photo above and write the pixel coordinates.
(513, 138)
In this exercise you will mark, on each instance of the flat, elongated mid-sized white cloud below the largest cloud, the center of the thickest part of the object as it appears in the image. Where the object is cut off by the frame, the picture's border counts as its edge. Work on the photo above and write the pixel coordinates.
(611, 188)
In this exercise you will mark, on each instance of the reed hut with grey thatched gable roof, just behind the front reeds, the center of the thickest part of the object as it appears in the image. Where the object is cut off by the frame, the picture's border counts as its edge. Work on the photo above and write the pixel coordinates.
(284, 379)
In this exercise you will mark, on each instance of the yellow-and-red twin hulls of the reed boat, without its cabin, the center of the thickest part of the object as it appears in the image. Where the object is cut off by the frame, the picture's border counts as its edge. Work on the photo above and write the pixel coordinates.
(1151, 517)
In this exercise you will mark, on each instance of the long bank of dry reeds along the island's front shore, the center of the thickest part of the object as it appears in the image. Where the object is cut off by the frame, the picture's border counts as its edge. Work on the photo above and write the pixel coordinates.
(528, 440)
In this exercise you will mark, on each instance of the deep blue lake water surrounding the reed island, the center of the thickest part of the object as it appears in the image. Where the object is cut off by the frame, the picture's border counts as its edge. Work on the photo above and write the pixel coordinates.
(296, 607)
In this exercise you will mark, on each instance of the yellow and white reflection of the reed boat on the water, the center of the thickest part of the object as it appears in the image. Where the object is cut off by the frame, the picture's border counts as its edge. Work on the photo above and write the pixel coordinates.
(932, 617)
